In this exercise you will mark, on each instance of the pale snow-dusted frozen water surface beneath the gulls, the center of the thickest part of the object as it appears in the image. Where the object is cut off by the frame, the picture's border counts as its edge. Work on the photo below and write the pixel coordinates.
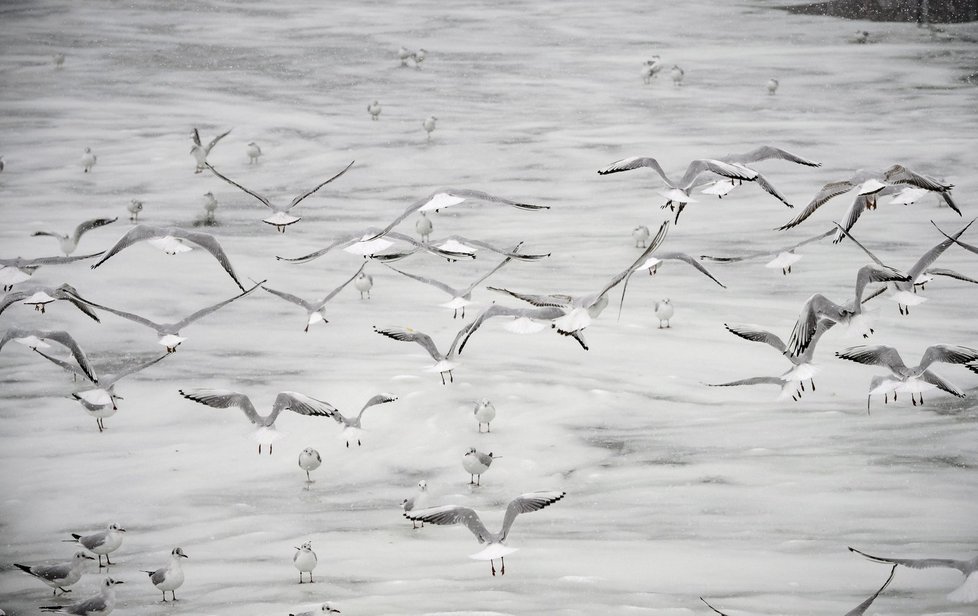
(674, 490)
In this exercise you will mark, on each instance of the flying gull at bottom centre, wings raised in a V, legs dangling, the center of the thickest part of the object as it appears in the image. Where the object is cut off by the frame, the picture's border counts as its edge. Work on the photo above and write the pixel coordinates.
(496, 548)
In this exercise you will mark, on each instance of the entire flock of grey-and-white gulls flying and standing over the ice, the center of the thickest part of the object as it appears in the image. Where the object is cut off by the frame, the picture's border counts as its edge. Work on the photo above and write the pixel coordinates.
(522, 312)
